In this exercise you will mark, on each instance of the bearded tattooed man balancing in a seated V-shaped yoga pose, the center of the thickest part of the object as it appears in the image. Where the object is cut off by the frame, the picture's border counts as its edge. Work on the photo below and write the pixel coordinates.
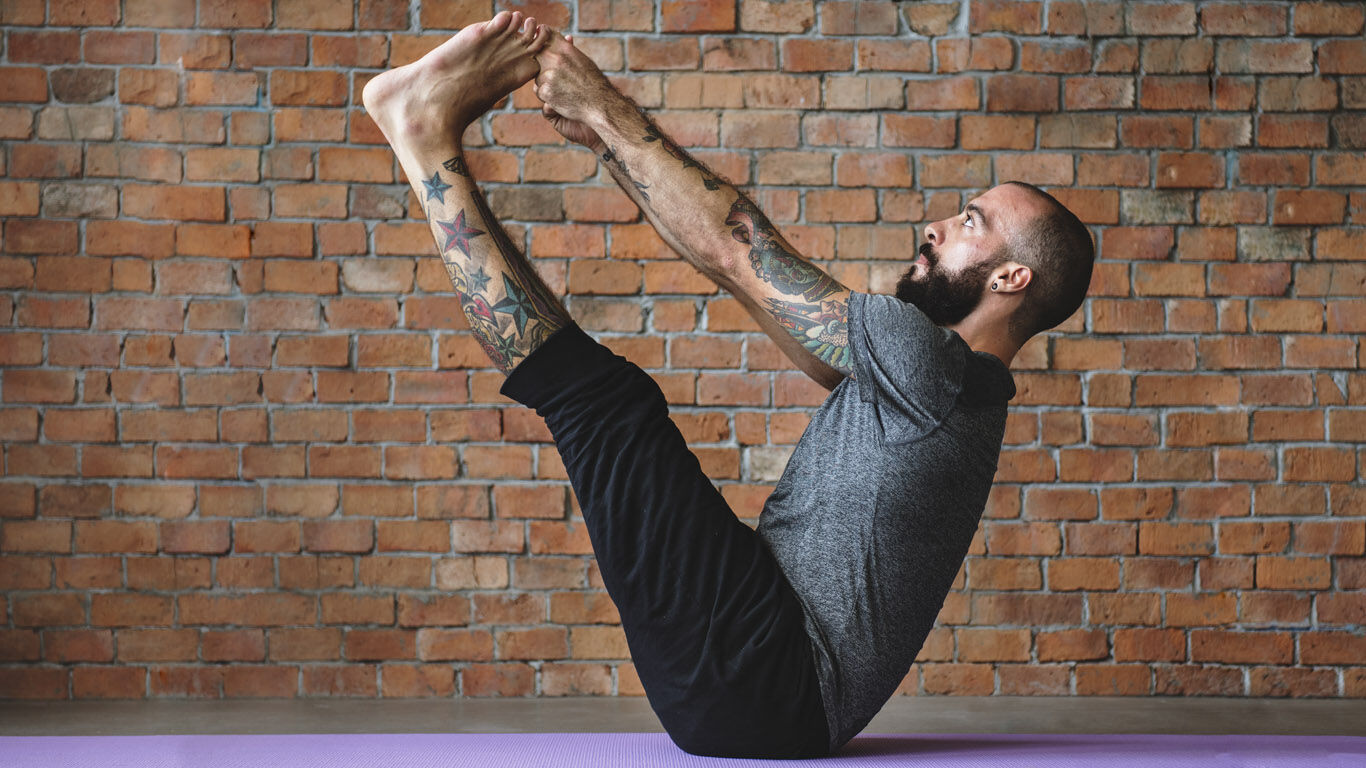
(782, 643)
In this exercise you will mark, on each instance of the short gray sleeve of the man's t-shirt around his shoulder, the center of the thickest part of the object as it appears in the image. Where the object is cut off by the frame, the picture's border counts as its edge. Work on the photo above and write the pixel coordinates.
(909, 368)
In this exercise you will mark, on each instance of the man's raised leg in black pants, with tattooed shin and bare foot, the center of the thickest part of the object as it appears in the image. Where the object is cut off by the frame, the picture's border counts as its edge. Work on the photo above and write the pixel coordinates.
(714, 627)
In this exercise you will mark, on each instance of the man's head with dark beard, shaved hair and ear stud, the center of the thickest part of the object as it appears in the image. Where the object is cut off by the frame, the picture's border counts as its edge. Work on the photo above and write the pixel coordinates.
(1013, 241)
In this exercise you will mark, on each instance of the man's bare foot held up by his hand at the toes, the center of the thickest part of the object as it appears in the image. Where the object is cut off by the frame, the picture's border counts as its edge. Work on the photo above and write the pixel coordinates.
(442, 94)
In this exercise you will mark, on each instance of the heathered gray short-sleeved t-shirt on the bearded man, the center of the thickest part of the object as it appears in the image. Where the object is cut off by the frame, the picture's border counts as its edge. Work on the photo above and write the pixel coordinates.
(882, 498)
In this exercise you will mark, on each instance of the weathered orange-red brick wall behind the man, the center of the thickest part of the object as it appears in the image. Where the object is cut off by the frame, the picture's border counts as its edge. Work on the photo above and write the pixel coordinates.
(251, 448)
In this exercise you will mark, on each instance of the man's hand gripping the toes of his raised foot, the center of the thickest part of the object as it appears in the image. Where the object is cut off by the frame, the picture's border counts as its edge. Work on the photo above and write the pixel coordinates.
(569, 83)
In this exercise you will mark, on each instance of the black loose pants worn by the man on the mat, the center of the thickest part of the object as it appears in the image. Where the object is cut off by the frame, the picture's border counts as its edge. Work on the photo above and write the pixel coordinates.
(714, 627)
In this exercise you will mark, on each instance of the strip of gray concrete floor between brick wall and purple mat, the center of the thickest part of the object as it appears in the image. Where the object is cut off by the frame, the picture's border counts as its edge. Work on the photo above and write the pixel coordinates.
(902, 715)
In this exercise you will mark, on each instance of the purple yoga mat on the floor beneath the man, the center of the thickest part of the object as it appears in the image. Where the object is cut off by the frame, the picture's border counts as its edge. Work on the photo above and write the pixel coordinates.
(584, 751)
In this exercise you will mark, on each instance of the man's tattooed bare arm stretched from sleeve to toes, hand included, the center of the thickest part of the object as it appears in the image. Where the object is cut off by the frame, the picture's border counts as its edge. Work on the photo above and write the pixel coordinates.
(703, 218)
